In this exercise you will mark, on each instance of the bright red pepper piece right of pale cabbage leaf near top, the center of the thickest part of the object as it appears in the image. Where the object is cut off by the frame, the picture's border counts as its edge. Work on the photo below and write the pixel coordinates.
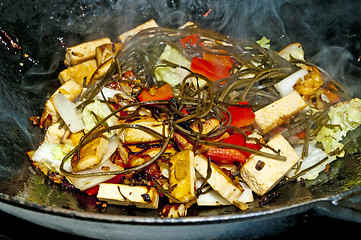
(213, 71)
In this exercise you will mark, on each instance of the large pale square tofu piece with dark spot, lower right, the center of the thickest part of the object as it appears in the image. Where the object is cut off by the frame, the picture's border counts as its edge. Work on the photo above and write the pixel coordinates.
(261, 173)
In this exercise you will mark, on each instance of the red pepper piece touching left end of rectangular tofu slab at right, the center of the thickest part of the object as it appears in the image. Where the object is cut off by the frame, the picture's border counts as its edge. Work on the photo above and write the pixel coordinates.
(241, 116)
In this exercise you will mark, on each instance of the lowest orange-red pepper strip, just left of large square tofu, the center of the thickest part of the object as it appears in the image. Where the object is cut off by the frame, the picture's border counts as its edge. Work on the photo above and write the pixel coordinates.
(225, 155)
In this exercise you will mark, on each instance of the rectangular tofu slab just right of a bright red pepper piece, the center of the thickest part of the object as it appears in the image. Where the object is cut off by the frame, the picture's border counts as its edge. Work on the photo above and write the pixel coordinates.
(278, 112)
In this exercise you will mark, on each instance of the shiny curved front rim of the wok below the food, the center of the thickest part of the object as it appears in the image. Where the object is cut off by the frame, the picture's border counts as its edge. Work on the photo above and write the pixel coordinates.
(290, 210)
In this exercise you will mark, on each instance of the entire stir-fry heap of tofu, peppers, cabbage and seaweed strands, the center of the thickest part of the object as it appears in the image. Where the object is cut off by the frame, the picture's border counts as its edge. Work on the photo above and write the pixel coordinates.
(189, 116)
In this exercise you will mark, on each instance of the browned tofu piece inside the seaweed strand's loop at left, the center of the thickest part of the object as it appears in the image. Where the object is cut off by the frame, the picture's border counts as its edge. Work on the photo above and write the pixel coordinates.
(90, 155)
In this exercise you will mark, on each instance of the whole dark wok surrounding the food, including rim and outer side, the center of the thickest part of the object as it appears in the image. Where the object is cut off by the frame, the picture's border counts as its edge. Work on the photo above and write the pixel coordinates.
(329, 32)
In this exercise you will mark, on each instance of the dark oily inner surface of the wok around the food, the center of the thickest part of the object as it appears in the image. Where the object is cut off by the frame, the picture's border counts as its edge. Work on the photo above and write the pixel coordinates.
(328, 31)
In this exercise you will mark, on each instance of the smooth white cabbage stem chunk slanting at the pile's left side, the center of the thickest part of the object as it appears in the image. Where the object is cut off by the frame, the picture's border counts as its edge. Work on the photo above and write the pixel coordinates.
(68, 112)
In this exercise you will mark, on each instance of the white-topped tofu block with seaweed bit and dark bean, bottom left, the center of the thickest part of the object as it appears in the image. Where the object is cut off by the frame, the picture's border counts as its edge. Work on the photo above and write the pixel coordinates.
(121, 194)
